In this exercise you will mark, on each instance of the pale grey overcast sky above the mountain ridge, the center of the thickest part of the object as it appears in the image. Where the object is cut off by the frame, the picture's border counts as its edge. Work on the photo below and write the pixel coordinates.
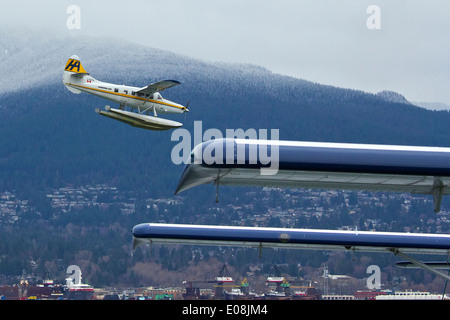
(326, 41)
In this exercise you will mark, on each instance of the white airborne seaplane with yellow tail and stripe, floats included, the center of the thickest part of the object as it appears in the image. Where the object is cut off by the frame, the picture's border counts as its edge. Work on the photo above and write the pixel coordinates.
(141, 100)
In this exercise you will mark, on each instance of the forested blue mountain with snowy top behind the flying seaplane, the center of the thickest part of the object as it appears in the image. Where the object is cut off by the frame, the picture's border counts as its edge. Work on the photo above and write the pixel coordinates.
(67, 142)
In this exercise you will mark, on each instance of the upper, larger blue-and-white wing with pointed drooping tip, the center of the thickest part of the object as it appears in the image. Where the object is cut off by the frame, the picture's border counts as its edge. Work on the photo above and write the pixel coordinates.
(420, 170)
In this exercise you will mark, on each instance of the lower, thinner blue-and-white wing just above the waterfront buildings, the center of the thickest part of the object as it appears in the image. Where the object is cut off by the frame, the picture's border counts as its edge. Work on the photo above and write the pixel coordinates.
(286, 238)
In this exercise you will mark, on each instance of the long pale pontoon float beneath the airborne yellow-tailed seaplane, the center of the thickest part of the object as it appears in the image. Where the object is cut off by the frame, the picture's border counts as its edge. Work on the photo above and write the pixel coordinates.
(139, 120)
